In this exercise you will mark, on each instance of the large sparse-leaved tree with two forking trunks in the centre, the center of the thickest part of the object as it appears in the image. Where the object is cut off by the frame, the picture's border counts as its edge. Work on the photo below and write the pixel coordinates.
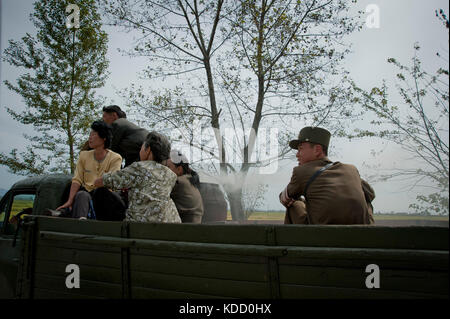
(244, 64)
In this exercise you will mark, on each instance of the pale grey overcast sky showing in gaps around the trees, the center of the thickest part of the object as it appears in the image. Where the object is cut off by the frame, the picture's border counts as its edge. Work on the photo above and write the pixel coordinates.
(402, 23)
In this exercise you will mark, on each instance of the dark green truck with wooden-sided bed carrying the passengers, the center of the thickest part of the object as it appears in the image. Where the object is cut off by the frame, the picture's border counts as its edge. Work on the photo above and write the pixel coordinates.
(52, 257)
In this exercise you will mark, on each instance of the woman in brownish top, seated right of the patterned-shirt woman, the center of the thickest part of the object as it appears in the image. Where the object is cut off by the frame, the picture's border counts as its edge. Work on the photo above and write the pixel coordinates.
(186, 194)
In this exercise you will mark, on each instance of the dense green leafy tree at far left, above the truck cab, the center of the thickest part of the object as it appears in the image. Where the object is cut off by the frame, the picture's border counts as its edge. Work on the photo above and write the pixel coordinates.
(64, 67)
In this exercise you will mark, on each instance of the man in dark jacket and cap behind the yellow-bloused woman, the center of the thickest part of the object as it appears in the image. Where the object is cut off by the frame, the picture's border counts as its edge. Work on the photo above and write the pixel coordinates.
(127, 137)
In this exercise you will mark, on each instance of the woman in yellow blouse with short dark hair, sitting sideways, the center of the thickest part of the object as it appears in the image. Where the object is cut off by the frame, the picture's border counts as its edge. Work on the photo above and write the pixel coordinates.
(91, 165)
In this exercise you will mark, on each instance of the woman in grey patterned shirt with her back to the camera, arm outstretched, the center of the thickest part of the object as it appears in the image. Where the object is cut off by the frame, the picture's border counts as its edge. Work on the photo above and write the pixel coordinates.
(149, 183)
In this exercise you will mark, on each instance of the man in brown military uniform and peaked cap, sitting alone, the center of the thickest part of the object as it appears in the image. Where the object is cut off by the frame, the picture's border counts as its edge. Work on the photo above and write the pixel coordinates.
(336, 195)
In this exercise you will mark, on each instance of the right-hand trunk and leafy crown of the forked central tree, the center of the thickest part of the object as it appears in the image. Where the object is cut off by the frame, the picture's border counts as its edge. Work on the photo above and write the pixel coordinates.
(285, 55)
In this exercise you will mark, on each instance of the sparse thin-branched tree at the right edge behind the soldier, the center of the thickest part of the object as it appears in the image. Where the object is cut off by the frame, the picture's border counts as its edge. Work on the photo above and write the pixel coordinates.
(419, 125)
